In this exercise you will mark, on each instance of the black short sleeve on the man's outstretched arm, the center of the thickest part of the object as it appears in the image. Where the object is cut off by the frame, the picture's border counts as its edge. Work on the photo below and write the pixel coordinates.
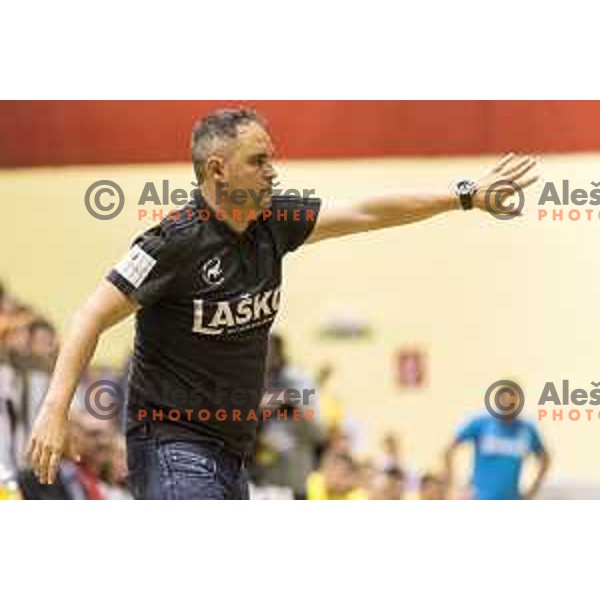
(291, 221)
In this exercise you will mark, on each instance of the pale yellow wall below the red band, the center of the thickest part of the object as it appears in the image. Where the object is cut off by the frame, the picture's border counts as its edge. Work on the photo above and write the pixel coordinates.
(489, 299)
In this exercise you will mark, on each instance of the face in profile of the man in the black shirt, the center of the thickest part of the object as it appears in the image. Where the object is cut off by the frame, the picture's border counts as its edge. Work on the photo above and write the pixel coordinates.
(248, 166)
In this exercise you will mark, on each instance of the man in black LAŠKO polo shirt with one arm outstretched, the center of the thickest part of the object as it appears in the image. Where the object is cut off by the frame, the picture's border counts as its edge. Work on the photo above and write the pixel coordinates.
(205, 288)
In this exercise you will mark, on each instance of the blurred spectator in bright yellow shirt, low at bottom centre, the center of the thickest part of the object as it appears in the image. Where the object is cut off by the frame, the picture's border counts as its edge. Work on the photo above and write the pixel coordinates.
(337, 479)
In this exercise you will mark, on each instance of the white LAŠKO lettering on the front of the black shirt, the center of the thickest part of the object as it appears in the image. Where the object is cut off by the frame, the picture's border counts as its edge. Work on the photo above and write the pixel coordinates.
(233, 316)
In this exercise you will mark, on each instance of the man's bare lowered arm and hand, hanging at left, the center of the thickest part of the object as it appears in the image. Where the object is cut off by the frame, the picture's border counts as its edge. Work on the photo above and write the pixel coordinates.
(104, 308)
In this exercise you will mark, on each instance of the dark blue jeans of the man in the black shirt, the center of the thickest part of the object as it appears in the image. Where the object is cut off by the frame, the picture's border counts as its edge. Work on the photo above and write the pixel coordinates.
(170, 470)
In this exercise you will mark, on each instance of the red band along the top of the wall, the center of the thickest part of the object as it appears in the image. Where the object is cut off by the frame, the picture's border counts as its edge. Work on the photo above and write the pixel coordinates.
(96, 132)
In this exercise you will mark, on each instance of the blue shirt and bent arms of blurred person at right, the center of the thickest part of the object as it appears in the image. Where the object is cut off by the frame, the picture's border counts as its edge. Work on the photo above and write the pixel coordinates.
(501, 447)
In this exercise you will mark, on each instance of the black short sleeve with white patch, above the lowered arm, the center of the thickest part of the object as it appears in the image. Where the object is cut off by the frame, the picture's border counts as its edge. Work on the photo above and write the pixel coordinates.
(149, 270)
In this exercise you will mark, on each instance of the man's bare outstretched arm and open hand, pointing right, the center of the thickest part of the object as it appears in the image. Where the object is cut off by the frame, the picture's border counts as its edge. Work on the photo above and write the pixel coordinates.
(378, 213)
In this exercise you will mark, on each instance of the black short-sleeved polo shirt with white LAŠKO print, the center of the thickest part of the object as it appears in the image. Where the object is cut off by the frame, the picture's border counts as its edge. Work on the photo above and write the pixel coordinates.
(209, 297)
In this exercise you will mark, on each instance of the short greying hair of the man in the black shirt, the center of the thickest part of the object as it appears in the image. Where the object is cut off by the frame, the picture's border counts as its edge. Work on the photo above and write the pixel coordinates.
(217, 127)
